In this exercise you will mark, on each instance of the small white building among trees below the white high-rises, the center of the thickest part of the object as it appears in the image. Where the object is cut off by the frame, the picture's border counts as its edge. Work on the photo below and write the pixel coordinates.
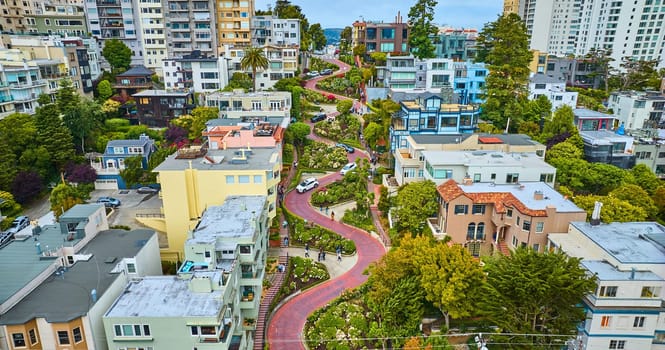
(554, 88)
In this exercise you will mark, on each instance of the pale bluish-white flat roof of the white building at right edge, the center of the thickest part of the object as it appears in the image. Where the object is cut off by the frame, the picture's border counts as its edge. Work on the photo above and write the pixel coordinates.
(628, 242)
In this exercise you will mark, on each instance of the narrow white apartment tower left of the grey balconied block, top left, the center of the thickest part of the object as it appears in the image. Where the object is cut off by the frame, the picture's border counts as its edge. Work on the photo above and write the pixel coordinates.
(152, 26)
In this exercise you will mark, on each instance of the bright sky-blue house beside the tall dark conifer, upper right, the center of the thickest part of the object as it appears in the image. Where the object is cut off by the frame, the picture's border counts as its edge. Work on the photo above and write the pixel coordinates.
(469, 81)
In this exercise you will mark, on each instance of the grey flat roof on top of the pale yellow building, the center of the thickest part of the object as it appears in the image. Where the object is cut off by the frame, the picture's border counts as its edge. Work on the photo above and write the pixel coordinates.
(260, 159)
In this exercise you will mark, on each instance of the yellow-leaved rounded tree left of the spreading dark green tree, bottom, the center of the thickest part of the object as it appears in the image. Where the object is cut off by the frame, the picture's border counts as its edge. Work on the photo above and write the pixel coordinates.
(452, 280)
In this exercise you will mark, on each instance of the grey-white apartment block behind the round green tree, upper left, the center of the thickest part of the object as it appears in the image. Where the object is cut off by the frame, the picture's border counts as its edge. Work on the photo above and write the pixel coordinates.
(116, 19)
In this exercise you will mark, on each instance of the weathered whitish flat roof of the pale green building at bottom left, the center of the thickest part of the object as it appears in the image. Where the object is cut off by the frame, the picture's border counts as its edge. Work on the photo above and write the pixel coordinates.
(165, 296)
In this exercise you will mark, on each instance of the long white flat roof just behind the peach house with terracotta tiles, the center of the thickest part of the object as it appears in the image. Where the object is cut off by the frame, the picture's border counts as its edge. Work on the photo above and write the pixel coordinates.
(486, 159)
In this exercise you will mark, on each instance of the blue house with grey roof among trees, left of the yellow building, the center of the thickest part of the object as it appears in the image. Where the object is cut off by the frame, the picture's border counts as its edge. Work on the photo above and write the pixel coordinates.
(113, 160)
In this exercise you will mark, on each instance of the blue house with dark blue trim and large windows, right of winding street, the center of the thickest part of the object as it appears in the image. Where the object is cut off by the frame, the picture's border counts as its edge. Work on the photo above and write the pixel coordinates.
(429, 114)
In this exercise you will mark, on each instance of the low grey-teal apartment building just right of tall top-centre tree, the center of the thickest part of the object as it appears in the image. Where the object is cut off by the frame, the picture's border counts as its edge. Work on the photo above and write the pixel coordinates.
(458, 44)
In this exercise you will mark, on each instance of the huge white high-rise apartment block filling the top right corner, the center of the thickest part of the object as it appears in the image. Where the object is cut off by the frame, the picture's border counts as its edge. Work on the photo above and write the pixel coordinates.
(628, 28)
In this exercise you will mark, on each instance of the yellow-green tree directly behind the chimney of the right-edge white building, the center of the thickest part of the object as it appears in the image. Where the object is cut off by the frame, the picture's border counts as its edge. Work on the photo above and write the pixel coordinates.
(614, 209)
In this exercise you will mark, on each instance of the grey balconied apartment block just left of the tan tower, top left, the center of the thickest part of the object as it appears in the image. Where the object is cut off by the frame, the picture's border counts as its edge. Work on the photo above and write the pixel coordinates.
(190, 25)
